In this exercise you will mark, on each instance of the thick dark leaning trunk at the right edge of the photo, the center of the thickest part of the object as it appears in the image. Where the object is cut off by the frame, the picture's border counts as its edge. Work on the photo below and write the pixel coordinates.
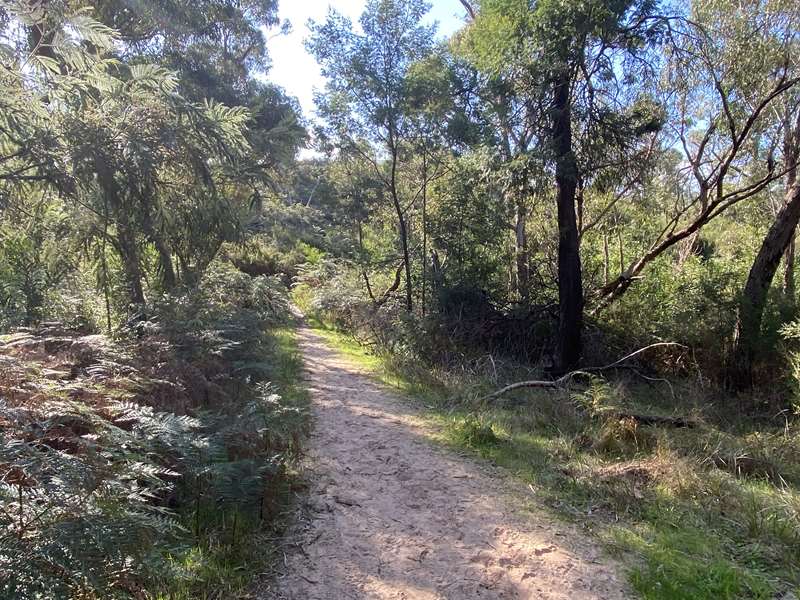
(759, 280)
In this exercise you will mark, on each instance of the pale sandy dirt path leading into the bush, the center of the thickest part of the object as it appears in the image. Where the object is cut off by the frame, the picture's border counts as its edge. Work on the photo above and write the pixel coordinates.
(390, 515)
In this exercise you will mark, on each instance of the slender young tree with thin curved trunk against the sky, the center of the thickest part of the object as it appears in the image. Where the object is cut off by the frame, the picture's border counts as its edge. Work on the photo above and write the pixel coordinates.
(365, 99)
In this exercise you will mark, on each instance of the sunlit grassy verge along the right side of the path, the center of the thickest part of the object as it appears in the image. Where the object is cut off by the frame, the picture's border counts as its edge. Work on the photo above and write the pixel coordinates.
(710, 512)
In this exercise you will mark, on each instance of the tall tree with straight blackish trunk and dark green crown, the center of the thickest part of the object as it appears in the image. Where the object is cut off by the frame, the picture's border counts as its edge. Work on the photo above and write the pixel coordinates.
(567, 57)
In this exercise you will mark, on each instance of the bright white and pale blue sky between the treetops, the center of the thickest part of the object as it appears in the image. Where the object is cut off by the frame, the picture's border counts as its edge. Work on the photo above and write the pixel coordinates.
(297, 72)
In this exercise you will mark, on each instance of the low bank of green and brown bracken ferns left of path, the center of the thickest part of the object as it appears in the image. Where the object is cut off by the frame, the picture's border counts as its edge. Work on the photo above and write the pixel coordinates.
(155, 463)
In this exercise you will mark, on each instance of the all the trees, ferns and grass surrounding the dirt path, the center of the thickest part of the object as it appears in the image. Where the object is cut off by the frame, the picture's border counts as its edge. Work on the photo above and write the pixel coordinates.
(595, 200)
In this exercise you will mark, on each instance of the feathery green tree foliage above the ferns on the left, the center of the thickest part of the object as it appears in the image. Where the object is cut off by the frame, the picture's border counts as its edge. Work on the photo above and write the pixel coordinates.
(106, 147)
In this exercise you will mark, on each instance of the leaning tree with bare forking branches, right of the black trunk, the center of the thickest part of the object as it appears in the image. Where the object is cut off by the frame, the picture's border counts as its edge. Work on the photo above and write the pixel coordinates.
(719, 97)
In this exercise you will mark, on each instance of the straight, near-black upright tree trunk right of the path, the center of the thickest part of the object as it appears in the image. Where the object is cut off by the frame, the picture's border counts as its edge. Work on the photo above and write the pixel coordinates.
(570, 285)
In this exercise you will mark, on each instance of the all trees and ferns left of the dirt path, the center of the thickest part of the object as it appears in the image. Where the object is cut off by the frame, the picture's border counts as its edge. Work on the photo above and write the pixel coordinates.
(150, 405)
